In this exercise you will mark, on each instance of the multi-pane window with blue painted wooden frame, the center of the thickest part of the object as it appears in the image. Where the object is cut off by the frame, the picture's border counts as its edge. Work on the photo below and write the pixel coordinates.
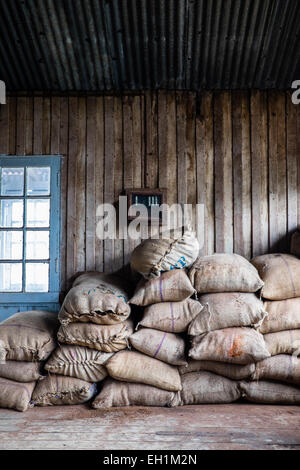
(29, 233)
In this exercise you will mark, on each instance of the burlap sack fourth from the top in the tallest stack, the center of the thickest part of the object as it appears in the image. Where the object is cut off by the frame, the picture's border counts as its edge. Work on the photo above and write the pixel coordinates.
(168, 347)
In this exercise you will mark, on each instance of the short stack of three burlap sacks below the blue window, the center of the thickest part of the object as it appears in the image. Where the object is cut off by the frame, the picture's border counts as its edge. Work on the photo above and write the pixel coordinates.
(26, 341)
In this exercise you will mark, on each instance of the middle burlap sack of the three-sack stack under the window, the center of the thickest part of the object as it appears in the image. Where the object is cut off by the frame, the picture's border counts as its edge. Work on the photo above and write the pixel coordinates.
(21, 371)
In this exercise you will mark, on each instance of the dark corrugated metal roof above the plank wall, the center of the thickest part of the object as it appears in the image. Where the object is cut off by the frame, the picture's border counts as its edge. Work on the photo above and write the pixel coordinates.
(101, 45)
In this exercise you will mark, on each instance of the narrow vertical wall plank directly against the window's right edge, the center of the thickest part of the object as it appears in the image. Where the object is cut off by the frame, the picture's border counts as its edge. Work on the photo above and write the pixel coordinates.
(64, 151)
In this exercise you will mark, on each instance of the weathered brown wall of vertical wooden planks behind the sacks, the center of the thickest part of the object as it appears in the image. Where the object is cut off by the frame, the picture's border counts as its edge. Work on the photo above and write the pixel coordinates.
(236, 152)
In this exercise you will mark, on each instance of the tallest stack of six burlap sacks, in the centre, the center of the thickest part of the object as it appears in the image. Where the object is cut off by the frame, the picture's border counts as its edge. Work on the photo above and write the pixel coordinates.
(148, 373)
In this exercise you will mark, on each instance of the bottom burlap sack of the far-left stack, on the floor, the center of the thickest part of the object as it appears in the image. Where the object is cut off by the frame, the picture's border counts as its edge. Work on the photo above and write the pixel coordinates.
(15, 395)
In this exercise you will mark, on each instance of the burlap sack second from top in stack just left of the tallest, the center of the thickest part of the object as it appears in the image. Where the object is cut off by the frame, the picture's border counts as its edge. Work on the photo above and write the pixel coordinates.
(107, 338)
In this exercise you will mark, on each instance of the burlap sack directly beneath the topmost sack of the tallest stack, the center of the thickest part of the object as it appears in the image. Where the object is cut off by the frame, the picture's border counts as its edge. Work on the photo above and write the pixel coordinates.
(171, 286)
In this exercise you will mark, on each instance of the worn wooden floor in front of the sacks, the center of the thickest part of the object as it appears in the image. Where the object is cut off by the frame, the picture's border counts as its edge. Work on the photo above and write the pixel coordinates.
(237, 426)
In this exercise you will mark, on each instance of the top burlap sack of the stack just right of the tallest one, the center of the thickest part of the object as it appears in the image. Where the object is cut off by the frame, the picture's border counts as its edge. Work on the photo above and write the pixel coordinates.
(224, 273)
